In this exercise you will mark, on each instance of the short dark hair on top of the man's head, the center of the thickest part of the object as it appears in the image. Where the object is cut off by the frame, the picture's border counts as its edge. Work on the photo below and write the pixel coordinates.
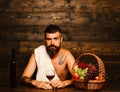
(52, 29)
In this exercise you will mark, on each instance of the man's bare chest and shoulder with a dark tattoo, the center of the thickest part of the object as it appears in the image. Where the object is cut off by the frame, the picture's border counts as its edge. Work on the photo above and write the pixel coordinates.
(62, 64)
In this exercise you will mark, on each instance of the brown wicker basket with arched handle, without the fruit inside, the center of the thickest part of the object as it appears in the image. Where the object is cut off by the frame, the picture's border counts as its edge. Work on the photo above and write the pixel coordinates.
(92, 84)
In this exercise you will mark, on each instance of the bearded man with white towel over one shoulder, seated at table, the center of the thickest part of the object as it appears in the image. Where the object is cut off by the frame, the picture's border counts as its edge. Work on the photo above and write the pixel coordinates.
(50, 56)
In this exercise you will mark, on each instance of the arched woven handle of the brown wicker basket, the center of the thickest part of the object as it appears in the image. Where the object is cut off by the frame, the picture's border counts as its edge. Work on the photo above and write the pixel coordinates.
(99, 61)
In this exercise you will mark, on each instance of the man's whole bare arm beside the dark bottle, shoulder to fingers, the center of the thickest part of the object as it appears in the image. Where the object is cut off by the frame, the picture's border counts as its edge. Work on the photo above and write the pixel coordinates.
(28, 72)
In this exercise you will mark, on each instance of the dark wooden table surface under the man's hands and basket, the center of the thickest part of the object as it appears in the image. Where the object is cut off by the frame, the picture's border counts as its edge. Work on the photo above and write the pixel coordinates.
(109, 86)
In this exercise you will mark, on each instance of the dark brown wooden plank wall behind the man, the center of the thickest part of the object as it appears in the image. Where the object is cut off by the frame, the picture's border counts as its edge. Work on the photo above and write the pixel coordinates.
(88, 26)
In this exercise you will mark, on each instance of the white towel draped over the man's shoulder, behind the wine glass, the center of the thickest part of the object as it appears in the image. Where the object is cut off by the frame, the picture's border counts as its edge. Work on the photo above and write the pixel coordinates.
(43, 63)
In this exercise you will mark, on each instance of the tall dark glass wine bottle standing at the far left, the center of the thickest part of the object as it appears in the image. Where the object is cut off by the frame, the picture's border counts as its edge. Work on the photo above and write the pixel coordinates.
(13, 78)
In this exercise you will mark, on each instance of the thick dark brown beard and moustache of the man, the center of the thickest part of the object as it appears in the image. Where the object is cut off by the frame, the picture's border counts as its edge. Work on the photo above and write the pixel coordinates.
(52, 50)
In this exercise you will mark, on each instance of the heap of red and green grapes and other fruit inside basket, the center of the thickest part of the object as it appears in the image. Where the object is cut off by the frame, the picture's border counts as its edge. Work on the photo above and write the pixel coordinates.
(85, 71)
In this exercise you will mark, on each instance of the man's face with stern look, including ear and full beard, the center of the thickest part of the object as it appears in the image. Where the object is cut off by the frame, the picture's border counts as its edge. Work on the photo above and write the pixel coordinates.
(53, 43)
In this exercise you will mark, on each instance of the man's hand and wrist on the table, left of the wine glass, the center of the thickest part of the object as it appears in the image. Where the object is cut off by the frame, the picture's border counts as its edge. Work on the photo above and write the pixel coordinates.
(41, 84)
